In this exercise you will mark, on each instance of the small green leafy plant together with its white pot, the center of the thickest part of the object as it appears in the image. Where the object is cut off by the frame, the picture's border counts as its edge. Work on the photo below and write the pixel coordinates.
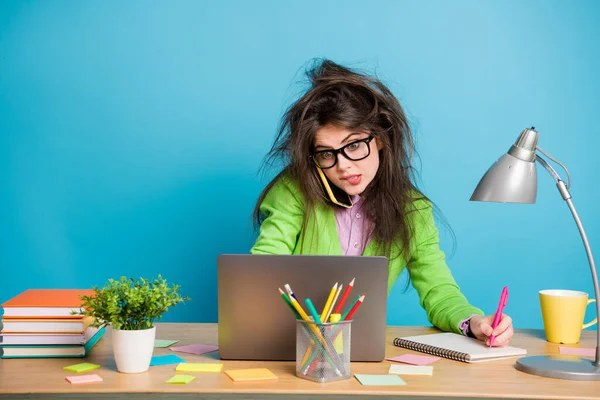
(131, 307)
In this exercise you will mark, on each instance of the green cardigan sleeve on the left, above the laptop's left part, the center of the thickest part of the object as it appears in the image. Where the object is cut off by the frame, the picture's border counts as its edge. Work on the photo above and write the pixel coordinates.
(283, 210)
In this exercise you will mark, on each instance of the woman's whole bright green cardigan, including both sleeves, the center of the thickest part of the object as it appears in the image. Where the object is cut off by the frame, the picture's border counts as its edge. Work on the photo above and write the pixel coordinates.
(281, 233)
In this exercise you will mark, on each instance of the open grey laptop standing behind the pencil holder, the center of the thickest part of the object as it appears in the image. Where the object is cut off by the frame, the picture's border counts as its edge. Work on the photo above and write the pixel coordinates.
(255, 323)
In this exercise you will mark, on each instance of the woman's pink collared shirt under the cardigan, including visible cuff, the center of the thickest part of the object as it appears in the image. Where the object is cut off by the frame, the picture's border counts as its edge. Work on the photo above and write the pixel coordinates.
(353, 228)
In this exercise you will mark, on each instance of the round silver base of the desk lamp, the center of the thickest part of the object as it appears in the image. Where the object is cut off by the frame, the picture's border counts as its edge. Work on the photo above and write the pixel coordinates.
(561, 367)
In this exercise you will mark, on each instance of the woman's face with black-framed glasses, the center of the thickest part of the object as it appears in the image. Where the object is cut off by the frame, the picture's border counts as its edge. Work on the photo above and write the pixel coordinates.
(352, 177)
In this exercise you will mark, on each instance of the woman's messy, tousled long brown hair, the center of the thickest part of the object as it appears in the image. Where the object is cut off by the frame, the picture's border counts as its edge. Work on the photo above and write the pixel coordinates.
(350, 100)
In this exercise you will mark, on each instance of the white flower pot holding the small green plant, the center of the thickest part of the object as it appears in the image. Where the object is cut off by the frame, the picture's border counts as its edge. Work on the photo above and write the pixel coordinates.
(133, 349)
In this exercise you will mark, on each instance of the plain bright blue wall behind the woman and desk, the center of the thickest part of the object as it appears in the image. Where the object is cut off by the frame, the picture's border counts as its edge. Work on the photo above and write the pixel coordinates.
(131, 133)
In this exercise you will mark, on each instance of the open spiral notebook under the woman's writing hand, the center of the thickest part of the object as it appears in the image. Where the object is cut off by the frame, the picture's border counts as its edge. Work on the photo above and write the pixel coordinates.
(457, 347)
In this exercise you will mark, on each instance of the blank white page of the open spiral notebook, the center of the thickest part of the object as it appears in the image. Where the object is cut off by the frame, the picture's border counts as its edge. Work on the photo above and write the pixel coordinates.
(476, 349)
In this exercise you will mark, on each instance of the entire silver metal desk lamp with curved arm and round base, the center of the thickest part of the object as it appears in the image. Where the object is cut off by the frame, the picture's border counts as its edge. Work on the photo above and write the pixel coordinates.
(513, 179)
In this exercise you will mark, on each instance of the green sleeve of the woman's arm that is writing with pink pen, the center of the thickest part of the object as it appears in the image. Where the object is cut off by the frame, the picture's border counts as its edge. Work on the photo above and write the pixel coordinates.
(439, 294)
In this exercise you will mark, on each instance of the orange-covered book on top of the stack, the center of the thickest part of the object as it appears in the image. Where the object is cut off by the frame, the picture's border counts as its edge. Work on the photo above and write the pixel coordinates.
(45, 303)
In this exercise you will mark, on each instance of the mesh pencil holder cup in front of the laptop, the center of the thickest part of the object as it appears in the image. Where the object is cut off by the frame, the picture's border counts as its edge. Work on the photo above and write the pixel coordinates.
(323, 351)
